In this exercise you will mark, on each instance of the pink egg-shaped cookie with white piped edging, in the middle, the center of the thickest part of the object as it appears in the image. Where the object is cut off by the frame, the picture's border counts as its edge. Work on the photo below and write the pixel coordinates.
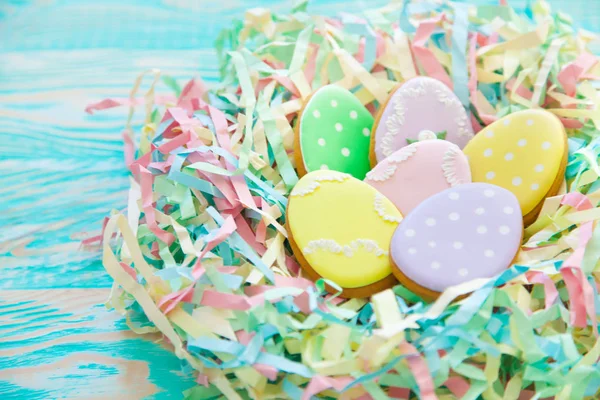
(418, 171)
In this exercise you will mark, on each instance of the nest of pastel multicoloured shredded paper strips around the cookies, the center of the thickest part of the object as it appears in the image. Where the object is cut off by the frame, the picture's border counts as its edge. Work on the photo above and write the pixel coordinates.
(201, 253)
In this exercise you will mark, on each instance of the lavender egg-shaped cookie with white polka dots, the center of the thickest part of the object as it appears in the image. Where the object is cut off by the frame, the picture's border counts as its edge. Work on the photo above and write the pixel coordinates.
(466, 232)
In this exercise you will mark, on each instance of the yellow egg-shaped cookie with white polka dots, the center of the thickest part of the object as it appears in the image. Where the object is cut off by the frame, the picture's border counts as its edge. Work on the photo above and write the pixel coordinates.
(526, 153)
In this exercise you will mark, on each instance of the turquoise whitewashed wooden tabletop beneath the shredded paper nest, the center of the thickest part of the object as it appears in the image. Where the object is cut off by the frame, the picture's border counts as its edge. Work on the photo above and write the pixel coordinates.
(62, 171)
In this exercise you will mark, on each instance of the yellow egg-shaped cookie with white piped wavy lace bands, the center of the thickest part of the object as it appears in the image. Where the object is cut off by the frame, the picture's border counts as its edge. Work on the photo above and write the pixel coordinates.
(340, 229)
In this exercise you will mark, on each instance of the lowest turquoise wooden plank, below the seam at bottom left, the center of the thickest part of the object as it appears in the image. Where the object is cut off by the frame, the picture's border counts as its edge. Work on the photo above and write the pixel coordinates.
(65, 343)
